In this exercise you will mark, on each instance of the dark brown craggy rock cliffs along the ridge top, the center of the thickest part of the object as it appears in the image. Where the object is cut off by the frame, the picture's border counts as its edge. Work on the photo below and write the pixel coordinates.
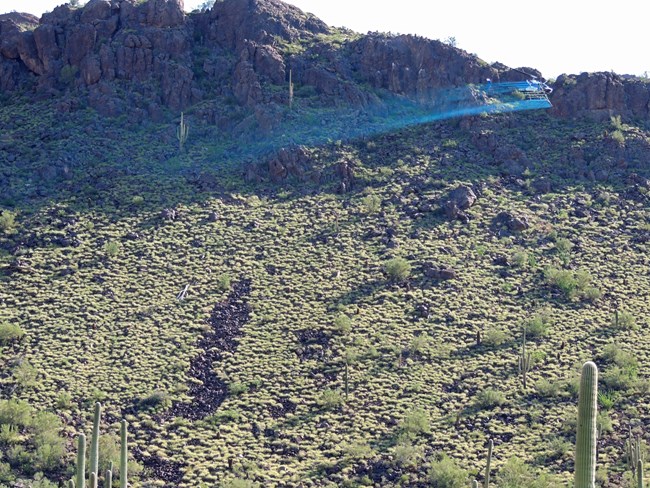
(128, 56)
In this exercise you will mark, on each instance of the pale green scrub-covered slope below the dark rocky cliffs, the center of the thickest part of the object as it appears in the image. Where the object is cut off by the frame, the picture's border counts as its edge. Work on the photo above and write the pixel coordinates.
(287, 334)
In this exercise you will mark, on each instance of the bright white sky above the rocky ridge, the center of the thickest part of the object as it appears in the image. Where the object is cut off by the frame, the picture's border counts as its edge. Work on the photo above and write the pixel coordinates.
(554, 36)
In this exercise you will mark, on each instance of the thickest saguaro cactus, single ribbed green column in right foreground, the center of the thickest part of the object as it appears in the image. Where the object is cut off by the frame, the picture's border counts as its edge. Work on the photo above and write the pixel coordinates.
(585, 462)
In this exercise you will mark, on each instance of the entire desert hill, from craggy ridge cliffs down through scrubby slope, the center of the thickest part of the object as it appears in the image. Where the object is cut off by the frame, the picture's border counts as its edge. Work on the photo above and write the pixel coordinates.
(348, 309)
